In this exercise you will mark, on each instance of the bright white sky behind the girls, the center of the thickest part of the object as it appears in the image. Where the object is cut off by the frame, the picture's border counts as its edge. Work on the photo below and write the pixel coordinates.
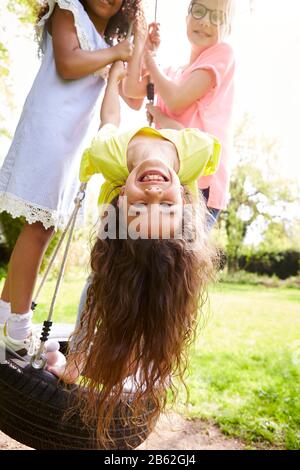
(268, 66)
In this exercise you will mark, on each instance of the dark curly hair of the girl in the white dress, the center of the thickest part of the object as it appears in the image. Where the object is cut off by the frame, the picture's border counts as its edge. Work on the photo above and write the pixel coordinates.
(117, 26)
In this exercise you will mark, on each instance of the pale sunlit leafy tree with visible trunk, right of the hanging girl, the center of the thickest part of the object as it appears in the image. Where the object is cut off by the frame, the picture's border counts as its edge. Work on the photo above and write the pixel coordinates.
(259, 194)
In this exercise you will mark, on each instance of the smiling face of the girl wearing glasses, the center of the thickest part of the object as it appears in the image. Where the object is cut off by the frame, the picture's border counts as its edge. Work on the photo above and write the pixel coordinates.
(206, 31)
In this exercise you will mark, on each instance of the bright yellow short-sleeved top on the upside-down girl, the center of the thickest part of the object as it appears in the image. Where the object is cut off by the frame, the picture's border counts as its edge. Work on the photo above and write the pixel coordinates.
(198, 154)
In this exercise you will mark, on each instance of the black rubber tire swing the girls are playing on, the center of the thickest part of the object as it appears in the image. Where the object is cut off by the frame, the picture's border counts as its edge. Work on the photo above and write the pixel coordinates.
(33, 403)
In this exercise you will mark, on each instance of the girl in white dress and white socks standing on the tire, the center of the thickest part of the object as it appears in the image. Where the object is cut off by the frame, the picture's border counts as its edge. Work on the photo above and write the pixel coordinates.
(39, 177)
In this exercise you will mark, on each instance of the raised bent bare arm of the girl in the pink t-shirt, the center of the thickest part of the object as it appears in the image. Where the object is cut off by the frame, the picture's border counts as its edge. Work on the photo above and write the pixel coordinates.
(178, 97)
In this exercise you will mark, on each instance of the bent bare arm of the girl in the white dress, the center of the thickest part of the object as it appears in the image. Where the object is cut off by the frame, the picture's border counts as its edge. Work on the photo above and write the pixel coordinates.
(71, 61)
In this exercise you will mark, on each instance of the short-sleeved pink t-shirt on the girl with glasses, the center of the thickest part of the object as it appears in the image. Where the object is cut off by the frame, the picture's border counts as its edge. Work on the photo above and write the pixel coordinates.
(212, 113)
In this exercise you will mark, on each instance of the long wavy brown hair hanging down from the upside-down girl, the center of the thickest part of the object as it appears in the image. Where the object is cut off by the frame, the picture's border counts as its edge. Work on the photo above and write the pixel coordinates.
(139, 319)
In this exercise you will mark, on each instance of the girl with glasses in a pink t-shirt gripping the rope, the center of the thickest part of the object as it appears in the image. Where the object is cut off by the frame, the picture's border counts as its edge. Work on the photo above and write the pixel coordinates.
(199, 94)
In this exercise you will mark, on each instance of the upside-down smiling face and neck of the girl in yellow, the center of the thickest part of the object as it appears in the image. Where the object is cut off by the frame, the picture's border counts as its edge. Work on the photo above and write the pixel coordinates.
(152, 199)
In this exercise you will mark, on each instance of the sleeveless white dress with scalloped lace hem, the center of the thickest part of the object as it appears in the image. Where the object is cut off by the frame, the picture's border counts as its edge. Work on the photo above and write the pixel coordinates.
(39, 177)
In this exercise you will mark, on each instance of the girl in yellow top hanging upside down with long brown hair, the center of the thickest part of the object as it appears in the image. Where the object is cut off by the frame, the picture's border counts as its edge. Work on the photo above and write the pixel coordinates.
(150, 265)
